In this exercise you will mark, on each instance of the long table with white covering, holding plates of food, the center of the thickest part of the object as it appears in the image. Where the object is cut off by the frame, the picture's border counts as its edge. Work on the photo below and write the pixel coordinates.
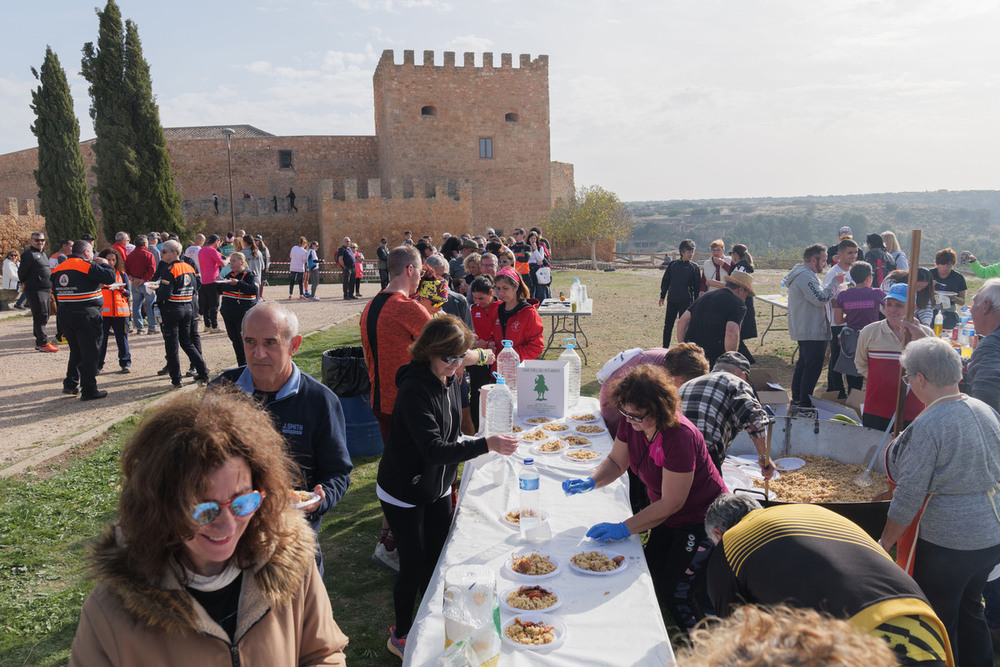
(610, 620)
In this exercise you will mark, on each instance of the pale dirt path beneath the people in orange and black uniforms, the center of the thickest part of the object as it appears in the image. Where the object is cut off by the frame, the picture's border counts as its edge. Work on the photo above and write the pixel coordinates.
(37, 421)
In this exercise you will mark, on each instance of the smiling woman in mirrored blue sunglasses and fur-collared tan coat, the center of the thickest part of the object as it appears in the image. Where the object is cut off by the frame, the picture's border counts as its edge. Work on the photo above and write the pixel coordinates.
(209, 563)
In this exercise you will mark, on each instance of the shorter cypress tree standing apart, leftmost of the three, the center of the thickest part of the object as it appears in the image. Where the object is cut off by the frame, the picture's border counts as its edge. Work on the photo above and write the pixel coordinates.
(61, 176)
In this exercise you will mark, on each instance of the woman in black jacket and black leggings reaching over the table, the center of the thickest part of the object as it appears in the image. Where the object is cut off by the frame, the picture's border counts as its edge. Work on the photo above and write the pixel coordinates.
(421, 459)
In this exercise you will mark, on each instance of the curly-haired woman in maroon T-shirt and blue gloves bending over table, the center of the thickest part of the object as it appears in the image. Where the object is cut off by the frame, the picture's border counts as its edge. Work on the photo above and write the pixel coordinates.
(669, 455)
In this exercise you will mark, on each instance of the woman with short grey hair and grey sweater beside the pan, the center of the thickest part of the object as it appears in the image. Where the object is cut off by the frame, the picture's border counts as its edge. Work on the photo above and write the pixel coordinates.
(946, 468)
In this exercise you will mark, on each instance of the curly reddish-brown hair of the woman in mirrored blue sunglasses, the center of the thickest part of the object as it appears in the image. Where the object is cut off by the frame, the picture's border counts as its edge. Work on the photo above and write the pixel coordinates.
(165, 468)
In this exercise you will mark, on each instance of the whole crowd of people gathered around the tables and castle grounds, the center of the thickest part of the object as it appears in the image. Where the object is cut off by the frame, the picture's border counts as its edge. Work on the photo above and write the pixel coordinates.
(206, 546)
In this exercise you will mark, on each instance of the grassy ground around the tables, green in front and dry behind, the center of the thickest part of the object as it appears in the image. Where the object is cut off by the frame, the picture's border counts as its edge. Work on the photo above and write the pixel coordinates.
(49, 516)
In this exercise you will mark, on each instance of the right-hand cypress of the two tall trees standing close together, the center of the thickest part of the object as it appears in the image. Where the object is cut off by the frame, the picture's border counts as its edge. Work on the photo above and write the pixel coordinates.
(160, 208)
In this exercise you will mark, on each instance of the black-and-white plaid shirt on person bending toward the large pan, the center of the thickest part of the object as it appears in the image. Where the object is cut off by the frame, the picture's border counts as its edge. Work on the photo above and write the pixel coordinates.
(720, 405)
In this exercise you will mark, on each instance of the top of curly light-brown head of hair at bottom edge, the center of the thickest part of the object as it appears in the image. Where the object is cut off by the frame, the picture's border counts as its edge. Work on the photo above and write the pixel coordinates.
(758, 637)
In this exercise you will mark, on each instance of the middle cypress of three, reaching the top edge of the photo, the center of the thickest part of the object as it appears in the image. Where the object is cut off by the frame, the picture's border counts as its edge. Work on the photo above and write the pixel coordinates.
(117, 166)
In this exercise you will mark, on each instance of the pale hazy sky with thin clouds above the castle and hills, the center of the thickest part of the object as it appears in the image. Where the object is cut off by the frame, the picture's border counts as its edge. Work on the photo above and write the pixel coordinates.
(653, 100)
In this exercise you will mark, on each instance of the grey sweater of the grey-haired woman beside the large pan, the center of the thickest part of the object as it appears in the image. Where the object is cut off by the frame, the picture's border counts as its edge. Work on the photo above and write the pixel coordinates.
(951, 451)
